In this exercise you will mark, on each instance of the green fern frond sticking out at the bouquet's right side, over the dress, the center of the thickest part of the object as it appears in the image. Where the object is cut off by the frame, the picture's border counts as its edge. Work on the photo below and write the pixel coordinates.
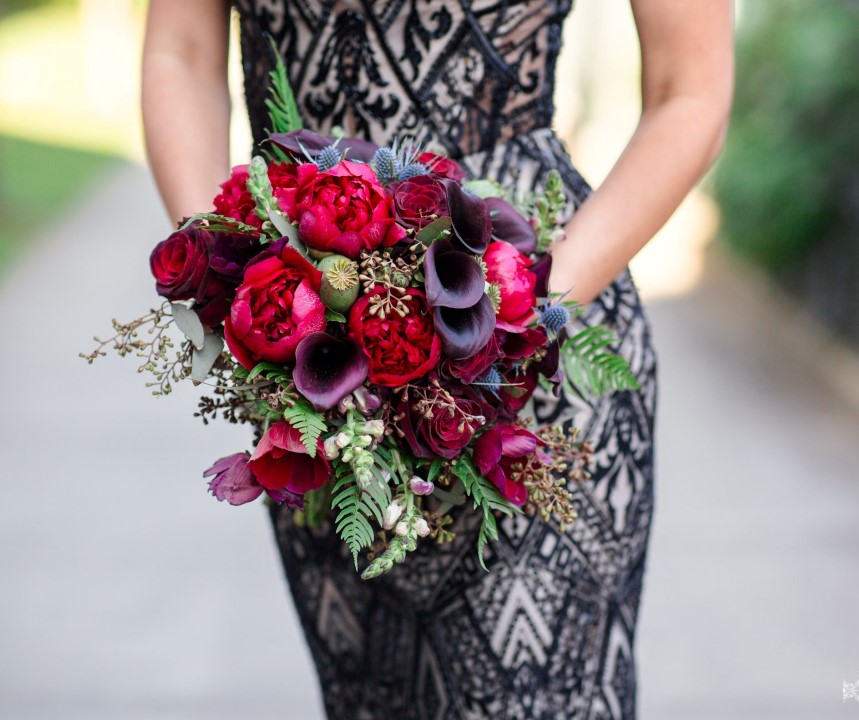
(592, 369)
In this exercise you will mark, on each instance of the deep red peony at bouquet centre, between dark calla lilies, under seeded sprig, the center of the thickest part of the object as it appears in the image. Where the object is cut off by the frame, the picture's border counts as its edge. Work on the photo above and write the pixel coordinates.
(401, 349)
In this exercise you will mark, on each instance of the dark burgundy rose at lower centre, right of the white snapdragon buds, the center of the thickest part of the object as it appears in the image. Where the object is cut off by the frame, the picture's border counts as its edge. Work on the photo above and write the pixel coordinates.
(449, 429)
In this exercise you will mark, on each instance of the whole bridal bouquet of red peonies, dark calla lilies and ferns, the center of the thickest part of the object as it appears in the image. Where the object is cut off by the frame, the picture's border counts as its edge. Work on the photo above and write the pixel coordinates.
(382, 323)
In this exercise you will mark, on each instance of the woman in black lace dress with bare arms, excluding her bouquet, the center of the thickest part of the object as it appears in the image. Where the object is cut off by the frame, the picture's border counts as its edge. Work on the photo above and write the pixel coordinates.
(548, 633)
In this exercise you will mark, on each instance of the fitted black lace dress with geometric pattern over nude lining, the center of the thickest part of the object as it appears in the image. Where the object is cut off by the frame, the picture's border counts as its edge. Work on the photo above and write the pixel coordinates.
(548, 633)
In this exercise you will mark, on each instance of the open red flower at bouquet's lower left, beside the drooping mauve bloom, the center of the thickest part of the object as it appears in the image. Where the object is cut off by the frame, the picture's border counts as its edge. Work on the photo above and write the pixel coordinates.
(281, 462)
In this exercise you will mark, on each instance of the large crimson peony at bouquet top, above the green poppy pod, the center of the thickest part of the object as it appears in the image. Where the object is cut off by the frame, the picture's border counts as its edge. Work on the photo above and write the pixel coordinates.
(343, 210)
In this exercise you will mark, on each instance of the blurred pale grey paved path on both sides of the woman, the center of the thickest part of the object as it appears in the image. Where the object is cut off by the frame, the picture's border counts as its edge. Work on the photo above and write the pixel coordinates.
(127, 593)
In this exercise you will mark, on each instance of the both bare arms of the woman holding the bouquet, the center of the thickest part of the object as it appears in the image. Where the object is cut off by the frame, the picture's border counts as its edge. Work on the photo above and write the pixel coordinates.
(687, 88)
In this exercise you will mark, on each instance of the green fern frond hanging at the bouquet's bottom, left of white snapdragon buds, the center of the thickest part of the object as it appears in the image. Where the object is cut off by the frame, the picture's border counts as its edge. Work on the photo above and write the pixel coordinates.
(355, 508)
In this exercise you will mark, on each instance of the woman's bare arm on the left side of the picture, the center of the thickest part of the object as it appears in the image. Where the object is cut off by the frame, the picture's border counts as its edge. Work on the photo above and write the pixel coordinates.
(186, 102)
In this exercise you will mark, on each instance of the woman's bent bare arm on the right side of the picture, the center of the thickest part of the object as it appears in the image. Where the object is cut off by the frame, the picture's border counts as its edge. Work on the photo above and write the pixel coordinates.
(687, 87)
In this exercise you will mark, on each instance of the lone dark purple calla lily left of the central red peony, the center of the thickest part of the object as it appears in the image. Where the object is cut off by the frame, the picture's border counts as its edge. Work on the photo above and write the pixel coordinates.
(328, 369)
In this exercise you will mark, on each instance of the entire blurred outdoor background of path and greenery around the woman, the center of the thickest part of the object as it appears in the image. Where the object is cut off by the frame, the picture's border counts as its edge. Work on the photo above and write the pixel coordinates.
(127, 593)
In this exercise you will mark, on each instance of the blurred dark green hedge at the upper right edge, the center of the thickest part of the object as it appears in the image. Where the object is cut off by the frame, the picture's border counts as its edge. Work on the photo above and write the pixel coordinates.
(788, 180)
